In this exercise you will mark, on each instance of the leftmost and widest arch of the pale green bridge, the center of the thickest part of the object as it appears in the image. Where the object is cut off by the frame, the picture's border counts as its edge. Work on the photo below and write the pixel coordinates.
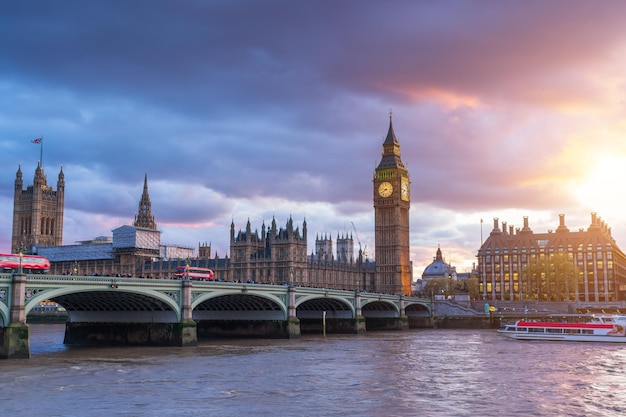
(89, 304)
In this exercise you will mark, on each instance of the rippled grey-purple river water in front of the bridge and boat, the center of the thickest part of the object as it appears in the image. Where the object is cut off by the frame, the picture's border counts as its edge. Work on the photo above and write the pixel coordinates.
(411, 373)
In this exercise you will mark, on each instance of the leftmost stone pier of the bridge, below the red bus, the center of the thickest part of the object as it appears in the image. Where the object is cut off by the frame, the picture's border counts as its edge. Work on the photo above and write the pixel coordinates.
(16, 336)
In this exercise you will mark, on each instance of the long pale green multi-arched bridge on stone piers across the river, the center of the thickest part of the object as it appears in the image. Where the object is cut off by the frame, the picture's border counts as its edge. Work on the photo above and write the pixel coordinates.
(143, 311)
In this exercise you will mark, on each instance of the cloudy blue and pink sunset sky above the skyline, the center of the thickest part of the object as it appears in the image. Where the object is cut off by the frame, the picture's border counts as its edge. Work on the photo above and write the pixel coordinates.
(260, 110)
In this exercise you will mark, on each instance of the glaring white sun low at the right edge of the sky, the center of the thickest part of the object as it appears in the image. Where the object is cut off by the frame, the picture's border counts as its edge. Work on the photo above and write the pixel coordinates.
(604, 189)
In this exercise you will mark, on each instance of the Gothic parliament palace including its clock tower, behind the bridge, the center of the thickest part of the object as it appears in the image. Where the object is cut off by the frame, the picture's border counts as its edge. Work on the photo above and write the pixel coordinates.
(275, 254)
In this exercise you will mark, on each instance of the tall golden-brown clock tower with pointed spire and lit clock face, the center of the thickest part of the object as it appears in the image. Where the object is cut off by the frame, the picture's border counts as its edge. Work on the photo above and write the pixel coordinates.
(392, 192)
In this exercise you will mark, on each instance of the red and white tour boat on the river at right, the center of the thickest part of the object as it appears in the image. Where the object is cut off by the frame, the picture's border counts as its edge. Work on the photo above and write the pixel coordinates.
(594, 328)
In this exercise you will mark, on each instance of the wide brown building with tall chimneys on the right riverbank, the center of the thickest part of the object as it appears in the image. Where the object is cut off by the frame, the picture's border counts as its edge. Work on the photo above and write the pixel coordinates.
(560, 265)
